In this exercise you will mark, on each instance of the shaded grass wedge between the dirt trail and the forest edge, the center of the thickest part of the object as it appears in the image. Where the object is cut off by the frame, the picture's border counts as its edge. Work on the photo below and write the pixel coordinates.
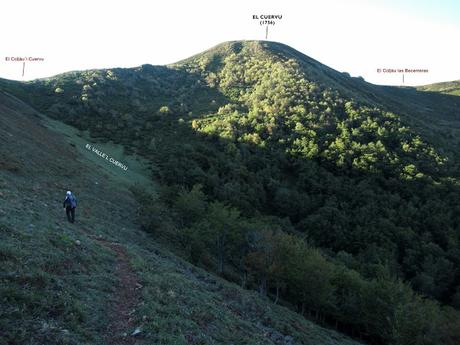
(184, 304)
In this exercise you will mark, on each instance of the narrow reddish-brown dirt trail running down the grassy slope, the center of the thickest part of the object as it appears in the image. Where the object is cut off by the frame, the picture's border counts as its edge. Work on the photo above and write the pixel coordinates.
(127, 296)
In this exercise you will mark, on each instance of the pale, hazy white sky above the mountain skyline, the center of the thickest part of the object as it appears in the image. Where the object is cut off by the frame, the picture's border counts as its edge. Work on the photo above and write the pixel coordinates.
(355, 36)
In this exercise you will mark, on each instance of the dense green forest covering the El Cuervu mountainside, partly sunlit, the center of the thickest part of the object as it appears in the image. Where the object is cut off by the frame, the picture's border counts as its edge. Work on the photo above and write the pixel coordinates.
(279, 173)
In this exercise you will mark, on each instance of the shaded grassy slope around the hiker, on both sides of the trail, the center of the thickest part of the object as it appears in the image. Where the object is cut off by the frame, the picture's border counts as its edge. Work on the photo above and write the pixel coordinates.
(54, 291)
